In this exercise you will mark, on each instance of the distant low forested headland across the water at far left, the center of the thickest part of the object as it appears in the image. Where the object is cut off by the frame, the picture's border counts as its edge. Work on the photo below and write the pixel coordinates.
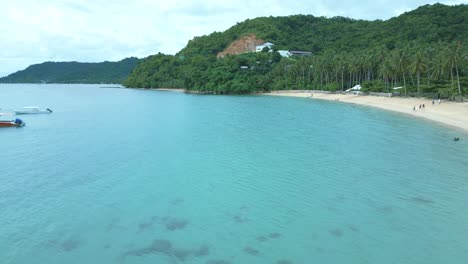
(74, 72)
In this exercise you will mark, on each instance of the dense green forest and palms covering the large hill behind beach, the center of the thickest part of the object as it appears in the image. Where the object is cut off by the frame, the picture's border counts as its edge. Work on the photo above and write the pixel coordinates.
(424, 51)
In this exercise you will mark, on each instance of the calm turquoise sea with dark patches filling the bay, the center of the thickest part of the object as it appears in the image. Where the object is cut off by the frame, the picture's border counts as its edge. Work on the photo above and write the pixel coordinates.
(138, 176)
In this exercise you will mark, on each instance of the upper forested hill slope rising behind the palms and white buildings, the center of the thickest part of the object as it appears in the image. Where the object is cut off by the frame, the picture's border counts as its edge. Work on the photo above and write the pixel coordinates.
(427, 24)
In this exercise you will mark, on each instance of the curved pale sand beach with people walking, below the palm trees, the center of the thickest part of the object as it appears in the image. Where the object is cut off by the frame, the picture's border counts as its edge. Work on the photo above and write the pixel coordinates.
(451, 114)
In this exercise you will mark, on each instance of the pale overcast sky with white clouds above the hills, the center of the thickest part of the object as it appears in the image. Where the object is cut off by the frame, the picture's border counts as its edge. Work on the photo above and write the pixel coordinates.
(34, 31)
